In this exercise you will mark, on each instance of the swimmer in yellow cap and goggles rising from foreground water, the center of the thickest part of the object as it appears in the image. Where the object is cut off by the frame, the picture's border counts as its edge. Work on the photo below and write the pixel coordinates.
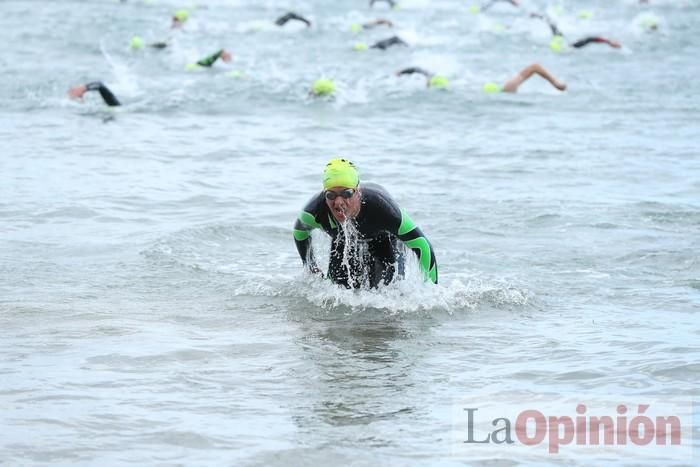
(365, 225)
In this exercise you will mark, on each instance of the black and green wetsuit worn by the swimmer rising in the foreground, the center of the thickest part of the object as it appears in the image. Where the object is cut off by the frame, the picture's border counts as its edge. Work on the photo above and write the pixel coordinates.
(375, 256)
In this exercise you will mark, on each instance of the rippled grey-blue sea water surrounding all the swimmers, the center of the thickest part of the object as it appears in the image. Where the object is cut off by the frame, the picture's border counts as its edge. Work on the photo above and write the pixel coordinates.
(152, 304)
